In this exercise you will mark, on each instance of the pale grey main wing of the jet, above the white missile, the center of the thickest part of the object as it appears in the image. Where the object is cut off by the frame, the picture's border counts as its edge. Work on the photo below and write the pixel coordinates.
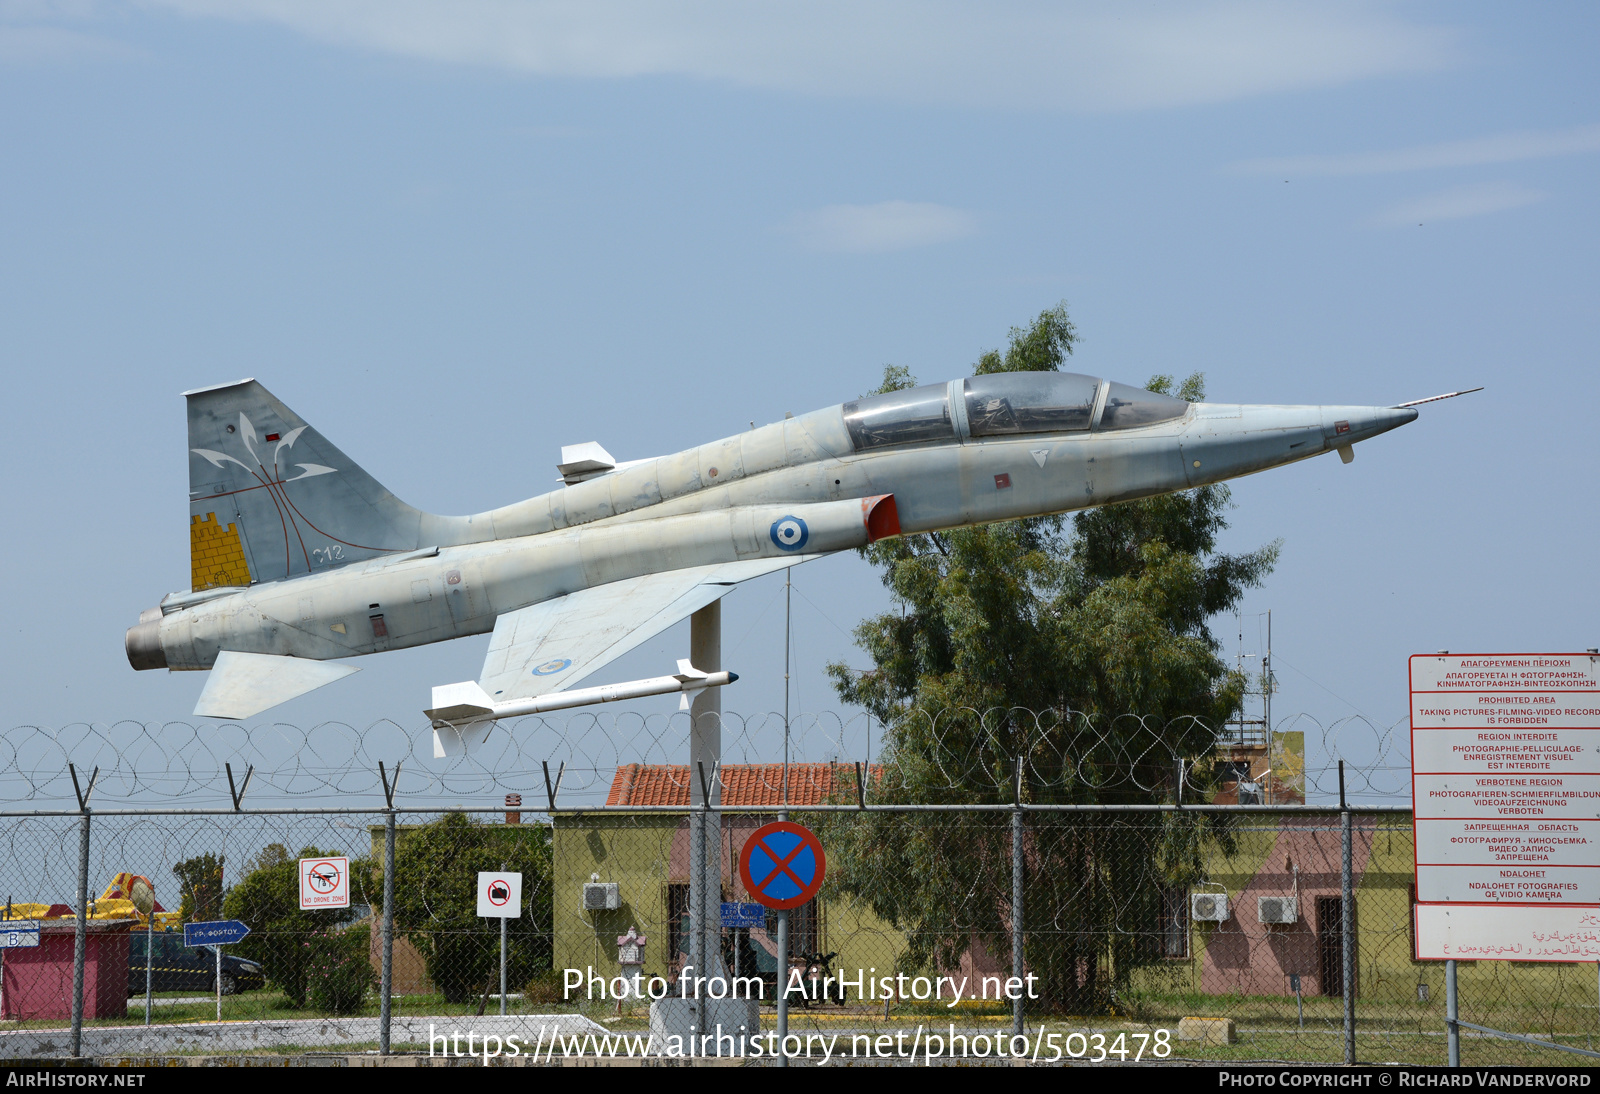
(556, 644)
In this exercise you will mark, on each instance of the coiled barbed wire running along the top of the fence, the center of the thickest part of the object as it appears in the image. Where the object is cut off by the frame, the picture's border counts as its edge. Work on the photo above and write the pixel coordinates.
(951, 753)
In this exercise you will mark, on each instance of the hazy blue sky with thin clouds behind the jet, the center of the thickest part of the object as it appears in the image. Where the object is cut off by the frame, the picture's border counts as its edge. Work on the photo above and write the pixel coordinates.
(460, 236)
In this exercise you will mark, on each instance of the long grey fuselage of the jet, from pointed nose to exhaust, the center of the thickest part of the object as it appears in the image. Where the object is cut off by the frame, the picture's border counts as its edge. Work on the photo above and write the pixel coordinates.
(839, 484)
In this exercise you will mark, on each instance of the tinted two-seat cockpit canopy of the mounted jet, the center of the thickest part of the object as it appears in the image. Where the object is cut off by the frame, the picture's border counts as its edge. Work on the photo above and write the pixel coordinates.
(1004, 405)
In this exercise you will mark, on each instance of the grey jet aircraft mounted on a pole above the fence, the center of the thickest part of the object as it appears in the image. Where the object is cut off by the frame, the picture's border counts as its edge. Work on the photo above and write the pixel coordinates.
(302, 561)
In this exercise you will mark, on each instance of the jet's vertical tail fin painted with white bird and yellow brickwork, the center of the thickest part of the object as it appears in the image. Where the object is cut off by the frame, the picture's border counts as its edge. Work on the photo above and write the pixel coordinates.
(271, 498)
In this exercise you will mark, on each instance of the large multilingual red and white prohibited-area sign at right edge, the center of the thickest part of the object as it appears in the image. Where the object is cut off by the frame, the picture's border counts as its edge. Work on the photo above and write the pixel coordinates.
(1506, 804)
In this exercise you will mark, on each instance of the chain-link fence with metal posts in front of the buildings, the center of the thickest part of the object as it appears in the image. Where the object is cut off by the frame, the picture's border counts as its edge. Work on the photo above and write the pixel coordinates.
(1206, 916)
